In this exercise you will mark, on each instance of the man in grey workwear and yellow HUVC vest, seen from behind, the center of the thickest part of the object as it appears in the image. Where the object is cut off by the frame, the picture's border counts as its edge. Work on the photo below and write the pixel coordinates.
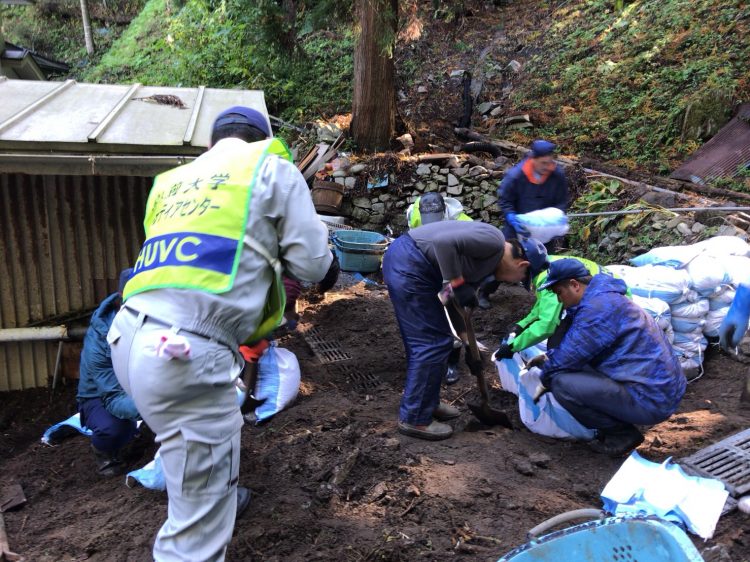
(220, 232)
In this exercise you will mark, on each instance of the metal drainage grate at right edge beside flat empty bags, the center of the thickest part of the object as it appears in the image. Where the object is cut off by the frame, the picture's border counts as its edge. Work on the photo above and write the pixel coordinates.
(727, 460)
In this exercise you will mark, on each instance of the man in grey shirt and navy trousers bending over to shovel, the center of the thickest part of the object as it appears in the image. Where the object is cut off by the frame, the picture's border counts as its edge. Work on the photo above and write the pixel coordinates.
(417, 267)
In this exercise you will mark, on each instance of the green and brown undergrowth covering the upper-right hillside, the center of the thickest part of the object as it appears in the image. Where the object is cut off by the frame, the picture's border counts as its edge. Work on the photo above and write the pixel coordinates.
(643, 85)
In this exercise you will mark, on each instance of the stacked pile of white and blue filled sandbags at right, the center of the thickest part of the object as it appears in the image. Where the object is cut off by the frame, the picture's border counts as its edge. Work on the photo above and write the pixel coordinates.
(696, 282)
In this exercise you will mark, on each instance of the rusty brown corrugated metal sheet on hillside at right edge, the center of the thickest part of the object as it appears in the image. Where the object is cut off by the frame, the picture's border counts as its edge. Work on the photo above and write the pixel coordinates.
(723, 156)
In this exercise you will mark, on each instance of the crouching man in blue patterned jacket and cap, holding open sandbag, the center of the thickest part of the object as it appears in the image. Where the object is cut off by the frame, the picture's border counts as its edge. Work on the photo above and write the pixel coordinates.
(614, 368)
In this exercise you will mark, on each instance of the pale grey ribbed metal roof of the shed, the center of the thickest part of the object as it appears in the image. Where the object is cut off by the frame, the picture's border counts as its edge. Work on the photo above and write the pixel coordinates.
(72, 117)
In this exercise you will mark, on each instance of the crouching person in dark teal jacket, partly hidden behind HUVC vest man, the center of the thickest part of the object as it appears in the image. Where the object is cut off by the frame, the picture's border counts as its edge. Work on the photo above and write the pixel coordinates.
(104, 406)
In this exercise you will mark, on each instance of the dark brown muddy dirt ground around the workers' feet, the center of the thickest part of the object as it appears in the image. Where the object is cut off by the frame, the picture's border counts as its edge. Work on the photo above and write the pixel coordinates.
(472, 497)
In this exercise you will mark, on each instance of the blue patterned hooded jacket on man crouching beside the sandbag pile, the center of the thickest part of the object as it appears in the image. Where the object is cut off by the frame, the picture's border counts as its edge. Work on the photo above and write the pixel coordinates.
(615, 337)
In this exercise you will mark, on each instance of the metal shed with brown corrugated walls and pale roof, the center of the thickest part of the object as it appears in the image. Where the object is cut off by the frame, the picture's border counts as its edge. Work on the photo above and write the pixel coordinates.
(76, 164)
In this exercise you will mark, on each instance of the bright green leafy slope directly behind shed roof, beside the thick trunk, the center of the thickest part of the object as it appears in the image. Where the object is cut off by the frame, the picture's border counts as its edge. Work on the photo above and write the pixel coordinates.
(232, 44)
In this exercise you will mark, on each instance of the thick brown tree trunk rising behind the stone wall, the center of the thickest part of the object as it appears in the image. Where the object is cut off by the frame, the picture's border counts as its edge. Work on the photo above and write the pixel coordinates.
(374, 101)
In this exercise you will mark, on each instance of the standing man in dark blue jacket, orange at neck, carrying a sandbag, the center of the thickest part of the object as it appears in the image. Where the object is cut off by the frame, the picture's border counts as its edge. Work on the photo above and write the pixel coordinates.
(535, 183)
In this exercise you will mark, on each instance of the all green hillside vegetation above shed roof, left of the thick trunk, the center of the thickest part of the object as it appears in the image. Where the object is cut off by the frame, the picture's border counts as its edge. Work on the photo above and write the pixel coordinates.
(303, 66)
